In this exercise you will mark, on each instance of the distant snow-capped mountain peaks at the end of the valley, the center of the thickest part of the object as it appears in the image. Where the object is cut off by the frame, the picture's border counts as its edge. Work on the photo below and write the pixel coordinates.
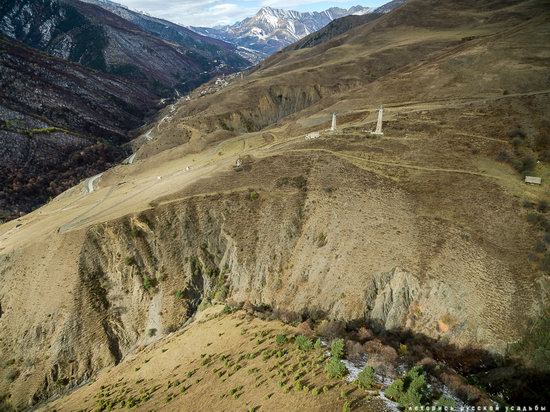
(271, 30)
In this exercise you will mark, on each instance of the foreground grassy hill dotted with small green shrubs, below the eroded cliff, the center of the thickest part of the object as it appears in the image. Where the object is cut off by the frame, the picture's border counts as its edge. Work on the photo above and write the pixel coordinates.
(269, 366)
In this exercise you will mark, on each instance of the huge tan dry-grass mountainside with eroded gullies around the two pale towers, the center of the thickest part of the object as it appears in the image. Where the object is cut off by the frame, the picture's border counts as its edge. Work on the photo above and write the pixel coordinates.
(429, 229)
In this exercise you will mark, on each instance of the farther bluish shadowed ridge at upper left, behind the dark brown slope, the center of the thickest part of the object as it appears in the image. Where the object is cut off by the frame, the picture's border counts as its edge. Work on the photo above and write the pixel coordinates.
(95, 37)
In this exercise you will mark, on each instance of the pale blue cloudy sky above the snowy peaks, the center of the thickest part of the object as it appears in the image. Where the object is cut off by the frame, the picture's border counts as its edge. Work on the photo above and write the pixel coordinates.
(213, 12)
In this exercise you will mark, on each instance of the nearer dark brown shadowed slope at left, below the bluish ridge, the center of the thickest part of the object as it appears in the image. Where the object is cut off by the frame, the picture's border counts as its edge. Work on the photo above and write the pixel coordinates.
(59, 123)
